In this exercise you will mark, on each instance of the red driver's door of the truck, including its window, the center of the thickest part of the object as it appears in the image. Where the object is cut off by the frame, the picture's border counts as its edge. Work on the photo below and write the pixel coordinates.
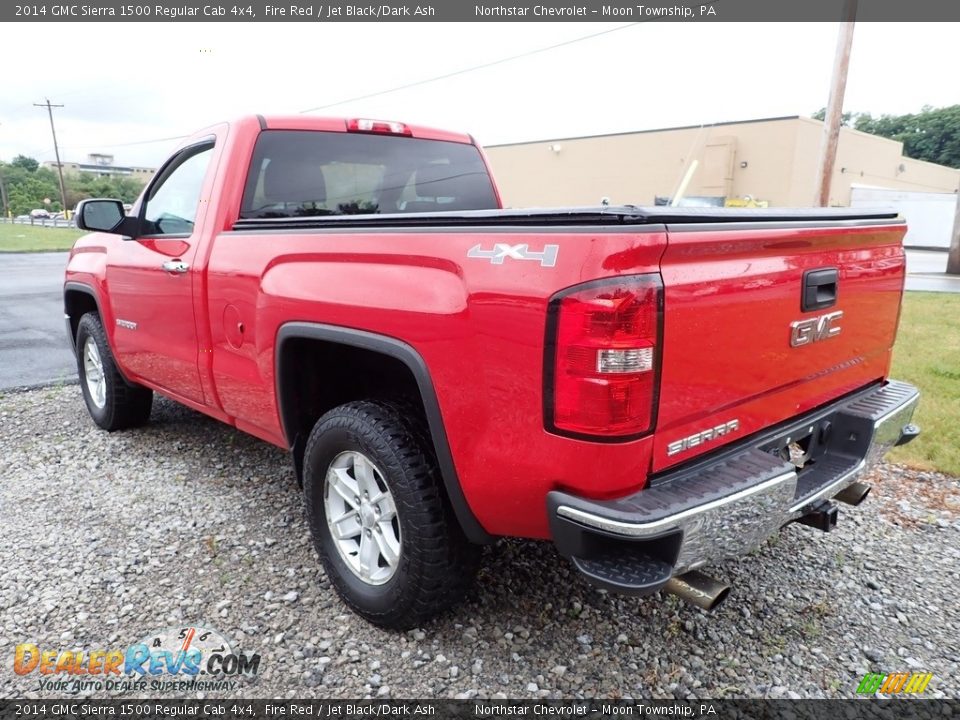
(151, 280)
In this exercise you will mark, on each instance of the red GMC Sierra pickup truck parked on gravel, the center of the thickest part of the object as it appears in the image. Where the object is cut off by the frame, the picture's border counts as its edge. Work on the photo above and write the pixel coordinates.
(651, 389)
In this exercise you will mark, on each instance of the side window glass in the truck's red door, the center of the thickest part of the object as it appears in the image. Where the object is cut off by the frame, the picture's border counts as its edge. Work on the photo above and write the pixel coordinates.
(171, 207)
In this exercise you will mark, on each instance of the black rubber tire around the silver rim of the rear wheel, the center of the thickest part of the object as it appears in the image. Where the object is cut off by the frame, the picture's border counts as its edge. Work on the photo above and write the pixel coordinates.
(437, 563)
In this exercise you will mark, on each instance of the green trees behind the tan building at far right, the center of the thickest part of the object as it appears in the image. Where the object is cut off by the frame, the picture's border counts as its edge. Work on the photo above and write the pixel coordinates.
(933, 134)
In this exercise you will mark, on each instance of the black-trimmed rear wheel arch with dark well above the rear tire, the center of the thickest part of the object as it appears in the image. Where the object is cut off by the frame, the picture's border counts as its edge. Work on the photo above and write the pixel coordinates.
(304, 350)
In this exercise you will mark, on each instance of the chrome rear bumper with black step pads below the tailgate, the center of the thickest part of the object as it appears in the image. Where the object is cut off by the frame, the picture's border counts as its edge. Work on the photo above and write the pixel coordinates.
(727, 504)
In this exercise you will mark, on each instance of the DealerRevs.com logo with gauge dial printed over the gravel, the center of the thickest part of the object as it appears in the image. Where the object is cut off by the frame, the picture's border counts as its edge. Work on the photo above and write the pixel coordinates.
(188, 658)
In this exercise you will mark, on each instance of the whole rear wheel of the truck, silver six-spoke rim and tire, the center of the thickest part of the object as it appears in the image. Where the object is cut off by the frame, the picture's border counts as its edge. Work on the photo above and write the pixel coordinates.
(380, 521)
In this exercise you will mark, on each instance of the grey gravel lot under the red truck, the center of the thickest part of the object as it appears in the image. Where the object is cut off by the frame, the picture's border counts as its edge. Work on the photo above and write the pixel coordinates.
(109, 536)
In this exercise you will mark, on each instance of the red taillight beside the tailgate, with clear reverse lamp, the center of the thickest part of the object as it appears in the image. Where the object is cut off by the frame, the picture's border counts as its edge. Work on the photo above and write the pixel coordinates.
(602, 376)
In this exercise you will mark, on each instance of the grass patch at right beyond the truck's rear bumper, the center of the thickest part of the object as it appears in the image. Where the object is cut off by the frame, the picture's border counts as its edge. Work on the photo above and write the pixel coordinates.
(927, 354)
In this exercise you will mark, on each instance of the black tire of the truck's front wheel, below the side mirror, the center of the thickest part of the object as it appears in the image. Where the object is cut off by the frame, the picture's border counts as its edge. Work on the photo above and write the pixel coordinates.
(123, 405)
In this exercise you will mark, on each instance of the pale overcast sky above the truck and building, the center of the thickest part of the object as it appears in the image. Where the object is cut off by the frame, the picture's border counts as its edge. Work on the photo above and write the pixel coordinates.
(127, 83)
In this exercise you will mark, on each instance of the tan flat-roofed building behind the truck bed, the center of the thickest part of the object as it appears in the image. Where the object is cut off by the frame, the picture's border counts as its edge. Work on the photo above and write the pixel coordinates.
(772, 160)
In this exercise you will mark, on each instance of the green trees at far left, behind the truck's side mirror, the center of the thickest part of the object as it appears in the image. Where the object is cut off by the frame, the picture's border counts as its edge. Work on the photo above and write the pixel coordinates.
(27, 185)
